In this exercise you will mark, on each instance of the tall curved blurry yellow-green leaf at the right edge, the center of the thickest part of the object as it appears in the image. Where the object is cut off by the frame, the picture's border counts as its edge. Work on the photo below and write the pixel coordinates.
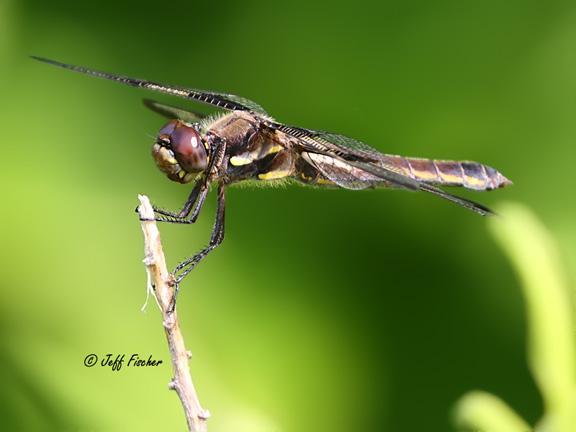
(535, 257)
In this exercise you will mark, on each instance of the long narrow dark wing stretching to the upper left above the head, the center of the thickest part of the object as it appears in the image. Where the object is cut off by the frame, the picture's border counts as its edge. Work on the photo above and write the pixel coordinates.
(220, 100)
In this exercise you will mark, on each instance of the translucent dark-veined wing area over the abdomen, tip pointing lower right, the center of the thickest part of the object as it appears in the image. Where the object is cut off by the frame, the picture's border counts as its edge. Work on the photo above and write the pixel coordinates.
(356, 154)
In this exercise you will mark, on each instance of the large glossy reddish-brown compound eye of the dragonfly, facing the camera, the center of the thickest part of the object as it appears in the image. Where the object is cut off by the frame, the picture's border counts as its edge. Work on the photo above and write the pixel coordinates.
(188, 149)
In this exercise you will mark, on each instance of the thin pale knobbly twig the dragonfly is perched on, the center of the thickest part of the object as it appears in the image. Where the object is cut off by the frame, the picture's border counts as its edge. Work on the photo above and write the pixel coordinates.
(163, 289)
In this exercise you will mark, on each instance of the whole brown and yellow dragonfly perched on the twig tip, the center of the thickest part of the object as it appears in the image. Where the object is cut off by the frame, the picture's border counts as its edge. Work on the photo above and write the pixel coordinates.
(243, 143)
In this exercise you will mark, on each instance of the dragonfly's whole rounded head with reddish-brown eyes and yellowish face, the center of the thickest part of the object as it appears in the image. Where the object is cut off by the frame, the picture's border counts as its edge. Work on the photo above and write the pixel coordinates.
(179, 151)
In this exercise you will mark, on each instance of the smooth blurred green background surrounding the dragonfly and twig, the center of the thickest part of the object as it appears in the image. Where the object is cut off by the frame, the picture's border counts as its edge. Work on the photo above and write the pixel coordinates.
(323, 310)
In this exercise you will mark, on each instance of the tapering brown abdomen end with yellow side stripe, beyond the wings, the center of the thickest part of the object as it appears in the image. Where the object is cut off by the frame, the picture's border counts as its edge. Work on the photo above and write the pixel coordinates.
(471, 175)
